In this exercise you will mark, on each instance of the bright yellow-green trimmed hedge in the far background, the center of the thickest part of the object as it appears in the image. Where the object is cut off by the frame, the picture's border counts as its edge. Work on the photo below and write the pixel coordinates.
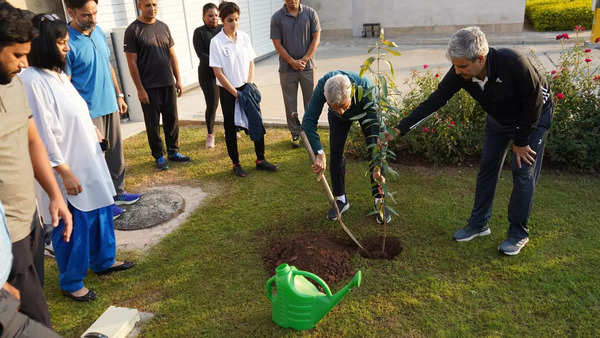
(556, 15)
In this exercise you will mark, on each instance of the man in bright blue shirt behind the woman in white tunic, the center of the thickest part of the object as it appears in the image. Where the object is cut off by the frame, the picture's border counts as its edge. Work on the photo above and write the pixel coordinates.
(88, 64)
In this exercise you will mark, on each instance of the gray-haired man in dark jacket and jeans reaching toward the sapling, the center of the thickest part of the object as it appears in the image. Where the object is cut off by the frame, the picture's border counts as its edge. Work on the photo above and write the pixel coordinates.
(519, 106)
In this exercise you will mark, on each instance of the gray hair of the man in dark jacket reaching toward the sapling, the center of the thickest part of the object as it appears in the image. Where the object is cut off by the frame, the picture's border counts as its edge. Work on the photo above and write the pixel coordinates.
(468, 43)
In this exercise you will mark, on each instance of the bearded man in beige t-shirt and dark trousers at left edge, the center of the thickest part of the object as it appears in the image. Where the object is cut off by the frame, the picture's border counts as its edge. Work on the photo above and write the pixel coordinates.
(22, 157)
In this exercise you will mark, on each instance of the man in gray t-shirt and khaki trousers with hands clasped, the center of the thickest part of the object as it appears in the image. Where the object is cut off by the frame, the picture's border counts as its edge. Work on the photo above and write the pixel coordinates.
(296, 32)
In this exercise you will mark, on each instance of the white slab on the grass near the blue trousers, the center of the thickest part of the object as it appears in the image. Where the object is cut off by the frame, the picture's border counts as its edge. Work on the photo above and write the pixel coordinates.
(115, 322)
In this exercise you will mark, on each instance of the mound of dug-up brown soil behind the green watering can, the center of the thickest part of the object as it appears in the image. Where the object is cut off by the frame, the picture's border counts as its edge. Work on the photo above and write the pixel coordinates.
(326, 257)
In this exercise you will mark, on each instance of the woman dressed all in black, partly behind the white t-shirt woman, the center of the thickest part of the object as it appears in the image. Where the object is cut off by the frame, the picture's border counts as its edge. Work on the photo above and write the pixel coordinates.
(206, 76)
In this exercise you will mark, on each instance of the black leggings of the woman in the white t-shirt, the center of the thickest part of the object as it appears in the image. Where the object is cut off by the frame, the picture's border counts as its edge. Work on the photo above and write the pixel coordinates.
(228, 107)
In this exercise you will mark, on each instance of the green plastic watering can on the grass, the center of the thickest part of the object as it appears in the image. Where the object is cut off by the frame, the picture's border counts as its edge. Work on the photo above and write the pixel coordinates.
(298, 304)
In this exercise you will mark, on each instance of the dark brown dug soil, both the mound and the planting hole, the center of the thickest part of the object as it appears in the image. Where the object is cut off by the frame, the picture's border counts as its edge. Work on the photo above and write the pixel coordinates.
(326, 257)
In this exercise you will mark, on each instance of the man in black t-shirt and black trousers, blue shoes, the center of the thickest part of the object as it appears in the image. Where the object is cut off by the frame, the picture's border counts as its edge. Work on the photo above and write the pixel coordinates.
(152, 63)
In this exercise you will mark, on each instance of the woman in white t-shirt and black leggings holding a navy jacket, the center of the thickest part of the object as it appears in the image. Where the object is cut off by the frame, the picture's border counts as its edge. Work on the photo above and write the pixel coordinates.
(232, 59)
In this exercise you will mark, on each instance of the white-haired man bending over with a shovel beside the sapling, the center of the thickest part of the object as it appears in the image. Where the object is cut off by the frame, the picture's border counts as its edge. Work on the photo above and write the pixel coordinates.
(335, 88)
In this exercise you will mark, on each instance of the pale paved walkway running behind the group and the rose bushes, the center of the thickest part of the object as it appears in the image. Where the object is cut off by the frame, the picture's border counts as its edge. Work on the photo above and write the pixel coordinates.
(349, 53)
